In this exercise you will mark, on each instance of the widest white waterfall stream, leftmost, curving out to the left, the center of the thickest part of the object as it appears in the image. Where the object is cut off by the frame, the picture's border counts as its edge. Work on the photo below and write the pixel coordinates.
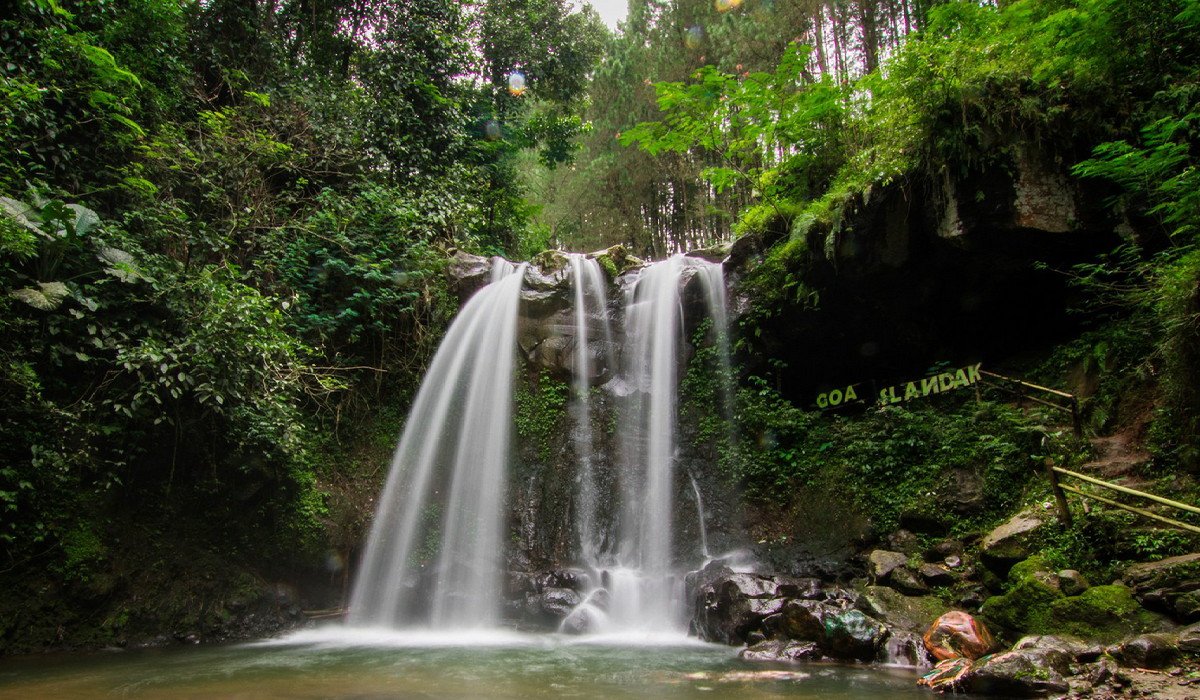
(435, 554)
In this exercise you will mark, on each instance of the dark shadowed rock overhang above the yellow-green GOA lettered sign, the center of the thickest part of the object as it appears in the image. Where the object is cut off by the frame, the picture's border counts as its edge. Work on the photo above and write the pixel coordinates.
(956, 246)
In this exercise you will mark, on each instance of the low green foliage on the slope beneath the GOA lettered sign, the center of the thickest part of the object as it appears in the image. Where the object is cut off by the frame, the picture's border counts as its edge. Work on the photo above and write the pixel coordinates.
(887, 460)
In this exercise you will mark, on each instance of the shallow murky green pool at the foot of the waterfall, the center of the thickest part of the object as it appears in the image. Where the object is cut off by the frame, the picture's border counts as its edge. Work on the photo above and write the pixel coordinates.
(339, 663)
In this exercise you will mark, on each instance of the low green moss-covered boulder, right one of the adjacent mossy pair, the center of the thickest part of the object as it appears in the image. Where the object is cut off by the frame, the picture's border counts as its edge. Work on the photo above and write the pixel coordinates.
(1105, 614)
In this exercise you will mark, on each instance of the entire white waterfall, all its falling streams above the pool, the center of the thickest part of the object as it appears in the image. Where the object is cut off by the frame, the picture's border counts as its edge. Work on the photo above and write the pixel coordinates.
(437, 552)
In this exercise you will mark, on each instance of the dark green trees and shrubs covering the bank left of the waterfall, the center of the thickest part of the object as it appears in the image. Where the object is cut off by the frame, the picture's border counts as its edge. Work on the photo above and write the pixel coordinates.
(224, 228)
